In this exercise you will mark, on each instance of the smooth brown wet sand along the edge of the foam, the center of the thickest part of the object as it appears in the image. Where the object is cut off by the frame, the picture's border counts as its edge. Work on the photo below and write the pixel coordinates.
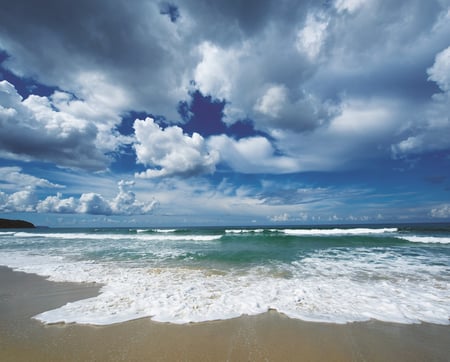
(267, 337)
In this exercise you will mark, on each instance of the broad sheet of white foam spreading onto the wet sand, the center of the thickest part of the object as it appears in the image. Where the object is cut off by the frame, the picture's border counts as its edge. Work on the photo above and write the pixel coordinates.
(322, 287)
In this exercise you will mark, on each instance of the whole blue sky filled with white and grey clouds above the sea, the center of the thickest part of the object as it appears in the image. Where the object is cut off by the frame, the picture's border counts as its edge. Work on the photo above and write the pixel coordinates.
(202, 112)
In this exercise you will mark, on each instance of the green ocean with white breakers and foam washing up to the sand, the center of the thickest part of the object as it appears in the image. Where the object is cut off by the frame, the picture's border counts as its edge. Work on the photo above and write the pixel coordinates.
(334, 274)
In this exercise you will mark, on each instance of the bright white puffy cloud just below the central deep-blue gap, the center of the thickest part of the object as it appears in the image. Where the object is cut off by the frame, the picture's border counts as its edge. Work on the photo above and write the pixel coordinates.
(171, 151)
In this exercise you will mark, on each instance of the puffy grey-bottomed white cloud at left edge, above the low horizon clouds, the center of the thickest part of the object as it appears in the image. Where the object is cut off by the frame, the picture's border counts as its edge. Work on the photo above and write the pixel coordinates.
(34, 129)
